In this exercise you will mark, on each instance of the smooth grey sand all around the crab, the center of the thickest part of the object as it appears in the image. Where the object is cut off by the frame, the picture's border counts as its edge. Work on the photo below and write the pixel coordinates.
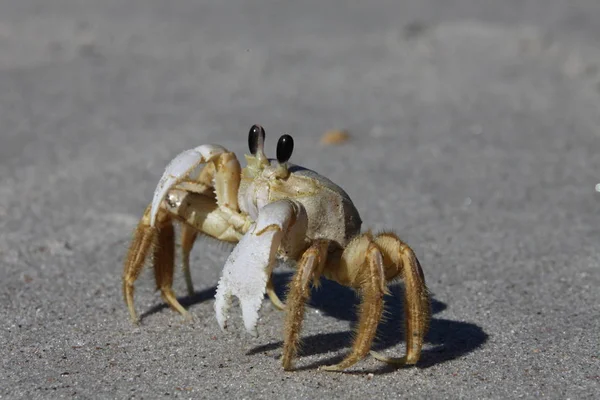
(474, 129)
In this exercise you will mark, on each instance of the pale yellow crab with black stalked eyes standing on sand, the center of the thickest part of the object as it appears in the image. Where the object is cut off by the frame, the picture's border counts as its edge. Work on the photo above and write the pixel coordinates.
(273, 209)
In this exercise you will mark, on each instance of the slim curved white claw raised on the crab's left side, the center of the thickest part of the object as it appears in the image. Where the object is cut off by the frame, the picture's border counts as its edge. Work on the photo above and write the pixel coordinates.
(179, 168)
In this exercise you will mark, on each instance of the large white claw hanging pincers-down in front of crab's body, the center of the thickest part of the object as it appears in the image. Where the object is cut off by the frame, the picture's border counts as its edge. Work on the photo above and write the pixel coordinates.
(249, 266)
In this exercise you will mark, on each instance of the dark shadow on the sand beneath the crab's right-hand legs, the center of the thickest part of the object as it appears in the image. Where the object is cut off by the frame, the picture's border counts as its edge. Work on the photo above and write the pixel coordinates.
(450, 339)
